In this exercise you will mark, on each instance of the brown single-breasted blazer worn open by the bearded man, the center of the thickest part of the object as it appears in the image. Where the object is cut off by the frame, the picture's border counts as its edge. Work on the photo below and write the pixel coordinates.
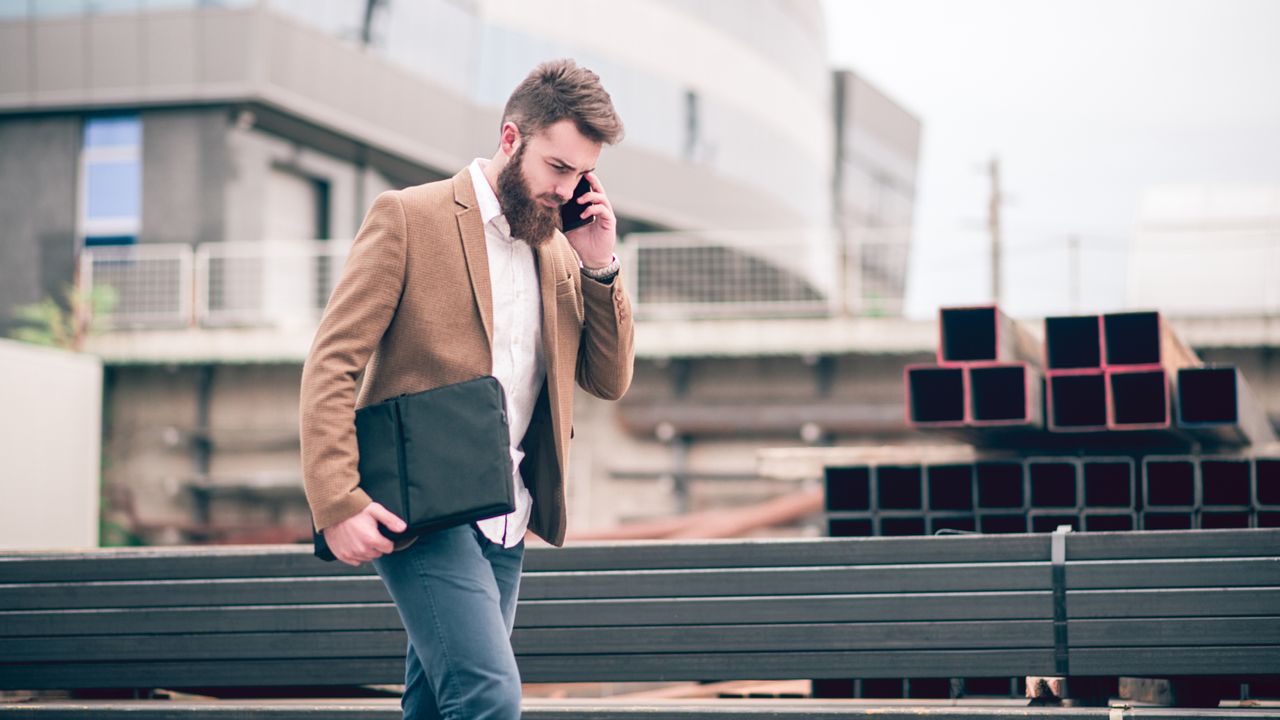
(414, 311)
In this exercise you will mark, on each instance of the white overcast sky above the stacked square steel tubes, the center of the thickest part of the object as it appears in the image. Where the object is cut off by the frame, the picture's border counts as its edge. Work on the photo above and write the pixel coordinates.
(1086, 103)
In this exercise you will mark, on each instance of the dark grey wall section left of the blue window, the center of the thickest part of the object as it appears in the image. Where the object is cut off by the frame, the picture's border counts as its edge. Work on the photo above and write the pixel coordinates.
(38, 209)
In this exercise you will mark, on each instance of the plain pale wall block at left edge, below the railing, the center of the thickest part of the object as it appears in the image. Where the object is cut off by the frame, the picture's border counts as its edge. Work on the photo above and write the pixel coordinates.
(51, 440)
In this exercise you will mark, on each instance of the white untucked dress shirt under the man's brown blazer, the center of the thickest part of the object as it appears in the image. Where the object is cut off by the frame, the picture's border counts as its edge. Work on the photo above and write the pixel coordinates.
(518, 344)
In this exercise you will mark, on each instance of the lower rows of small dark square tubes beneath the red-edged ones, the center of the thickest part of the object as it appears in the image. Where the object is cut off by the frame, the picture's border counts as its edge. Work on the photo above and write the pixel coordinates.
(1039, 494)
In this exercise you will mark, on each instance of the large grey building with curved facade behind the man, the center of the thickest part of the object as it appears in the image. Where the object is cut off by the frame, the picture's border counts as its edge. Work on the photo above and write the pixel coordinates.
(211, 162)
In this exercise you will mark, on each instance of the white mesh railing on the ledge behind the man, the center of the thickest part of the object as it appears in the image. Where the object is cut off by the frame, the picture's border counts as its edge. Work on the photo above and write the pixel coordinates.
(670, 276)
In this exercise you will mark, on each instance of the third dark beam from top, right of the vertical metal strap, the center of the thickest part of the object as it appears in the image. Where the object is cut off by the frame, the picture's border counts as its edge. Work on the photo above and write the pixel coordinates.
(1192, 603)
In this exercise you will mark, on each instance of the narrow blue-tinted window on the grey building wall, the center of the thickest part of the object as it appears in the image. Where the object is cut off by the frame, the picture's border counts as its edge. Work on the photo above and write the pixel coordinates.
(112, 181)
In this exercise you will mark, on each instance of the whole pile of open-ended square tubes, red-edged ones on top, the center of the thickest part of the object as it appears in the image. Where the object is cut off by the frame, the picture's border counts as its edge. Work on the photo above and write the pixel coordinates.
(1109, 381)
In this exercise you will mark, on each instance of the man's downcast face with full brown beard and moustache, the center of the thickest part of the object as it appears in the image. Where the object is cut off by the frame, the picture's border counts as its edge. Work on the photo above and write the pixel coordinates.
(541, 177)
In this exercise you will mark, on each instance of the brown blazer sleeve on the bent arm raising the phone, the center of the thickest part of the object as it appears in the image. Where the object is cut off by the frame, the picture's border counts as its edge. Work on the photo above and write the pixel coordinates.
(606, 354)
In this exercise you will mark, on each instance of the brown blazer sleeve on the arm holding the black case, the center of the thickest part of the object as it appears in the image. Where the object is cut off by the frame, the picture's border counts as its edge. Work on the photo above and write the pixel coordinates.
(359, 312)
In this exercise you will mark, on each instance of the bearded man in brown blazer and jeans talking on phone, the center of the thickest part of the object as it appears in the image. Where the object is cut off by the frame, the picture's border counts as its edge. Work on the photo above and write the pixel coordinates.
(451, 281)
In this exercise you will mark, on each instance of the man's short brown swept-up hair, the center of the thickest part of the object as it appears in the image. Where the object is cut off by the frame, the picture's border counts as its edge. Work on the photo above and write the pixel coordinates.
(563, 90)
